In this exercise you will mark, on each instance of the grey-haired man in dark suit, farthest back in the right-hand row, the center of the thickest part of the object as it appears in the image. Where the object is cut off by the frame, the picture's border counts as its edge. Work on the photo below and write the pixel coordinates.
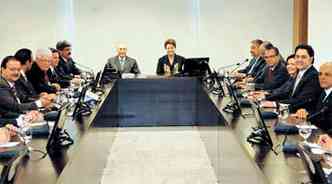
(257, 62)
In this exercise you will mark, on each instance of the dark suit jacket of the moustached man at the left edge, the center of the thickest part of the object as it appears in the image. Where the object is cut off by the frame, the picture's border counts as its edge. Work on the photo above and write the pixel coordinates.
(9, 105)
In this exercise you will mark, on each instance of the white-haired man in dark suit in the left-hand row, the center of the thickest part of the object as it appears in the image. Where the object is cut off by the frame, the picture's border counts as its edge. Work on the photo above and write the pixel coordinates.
(38, 73)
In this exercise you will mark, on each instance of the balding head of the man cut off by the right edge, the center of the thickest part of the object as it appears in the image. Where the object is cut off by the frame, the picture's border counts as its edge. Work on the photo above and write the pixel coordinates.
(325, 75)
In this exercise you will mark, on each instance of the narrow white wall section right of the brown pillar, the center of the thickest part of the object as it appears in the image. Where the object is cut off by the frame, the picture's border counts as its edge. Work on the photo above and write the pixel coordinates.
(320, 29)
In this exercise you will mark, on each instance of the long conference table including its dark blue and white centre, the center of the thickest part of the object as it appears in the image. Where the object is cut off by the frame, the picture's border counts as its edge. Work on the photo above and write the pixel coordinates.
(149, 108)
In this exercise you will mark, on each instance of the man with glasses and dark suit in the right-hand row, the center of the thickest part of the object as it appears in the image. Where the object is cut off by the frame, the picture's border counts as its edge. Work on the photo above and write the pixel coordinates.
(275, 72)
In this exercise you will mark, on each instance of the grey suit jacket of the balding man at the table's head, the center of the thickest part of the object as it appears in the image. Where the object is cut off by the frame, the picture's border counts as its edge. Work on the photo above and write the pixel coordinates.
(130, 65)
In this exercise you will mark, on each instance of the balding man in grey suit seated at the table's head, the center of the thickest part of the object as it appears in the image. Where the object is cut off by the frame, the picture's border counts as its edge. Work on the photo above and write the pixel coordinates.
(121, 62)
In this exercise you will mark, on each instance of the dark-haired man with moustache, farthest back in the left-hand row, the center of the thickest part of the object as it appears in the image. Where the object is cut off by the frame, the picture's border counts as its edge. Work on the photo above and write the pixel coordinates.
(66, 68)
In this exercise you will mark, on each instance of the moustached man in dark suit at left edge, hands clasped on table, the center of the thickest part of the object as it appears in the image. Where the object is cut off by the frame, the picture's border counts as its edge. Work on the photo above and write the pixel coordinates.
(10, 104)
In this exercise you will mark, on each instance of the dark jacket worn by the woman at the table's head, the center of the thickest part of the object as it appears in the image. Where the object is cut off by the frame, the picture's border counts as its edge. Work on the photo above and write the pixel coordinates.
(178, 61)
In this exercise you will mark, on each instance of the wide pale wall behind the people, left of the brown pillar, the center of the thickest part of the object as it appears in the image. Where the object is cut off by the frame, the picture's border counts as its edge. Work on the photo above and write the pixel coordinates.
(220, 29)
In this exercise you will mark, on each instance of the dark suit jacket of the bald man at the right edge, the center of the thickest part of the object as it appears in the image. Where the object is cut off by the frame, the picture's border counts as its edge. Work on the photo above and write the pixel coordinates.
(323, 119)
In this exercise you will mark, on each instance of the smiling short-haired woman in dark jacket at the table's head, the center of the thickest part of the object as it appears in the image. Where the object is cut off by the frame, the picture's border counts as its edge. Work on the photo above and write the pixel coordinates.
(171, 63)
